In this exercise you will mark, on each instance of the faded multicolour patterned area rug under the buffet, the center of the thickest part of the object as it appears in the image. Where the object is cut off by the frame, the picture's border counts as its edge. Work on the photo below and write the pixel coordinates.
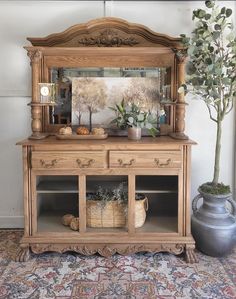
(140, 276)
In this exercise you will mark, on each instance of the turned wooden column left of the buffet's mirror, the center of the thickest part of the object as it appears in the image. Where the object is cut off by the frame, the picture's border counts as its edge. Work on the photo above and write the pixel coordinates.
(36, 109)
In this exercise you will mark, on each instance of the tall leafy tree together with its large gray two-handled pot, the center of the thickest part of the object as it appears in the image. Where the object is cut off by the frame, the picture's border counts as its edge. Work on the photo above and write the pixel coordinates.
(211, 76)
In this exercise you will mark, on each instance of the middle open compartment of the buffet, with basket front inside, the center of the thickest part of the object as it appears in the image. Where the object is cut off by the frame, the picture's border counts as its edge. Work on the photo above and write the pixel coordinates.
(102, 213)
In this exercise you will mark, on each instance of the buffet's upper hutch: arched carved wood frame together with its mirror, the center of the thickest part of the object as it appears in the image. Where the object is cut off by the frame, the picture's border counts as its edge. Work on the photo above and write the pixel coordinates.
(113, 58)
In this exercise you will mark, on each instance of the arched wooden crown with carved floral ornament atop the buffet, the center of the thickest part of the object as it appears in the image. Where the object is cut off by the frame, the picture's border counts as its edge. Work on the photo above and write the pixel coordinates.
(107, 32)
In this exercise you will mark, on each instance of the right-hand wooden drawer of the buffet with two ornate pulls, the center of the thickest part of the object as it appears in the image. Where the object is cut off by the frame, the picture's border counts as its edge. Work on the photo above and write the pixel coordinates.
(145, 159)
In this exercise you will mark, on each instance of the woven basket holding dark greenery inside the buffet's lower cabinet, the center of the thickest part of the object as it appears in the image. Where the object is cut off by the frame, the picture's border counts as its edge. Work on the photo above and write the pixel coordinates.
(108, 208)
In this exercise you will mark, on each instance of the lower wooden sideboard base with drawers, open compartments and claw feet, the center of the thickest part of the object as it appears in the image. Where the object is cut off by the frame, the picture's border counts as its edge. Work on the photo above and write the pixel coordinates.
(59, 173)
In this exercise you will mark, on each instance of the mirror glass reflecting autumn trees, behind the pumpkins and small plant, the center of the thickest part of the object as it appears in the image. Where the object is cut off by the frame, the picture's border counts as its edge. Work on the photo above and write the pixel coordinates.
(87, 93)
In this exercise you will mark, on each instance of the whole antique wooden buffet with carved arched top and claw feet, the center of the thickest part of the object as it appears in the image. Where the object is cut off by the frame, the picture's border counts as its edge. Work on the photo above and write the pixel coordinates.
(59, 173)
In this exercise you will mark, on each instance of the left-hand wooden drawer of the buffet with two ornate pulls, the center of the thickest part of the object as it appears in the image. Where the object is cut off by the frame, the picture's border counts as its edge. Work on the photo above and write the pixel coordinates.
(68, 160)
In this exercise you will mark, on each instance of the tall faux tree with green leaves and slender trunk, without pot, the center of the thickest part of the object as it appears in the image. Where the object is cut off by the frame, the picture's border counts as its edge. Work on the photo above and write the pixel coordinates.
(211, 69)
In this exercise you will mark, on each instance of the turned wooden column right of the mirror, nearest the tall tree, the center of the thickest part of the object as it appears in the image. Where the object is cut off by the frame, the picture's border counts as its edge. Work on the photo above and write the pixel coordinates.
(180, 105)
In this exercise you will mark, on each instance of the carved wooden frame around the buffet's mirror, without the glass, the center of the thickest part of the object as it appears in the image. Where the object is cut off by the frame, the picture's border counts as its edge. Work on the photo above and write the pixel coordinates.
(106, 42)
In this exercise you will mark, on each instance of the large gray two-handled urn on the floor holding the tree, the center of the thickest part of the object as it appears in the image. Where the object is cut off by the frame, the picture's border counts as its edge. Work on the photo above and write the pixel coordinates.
(213, 227)
